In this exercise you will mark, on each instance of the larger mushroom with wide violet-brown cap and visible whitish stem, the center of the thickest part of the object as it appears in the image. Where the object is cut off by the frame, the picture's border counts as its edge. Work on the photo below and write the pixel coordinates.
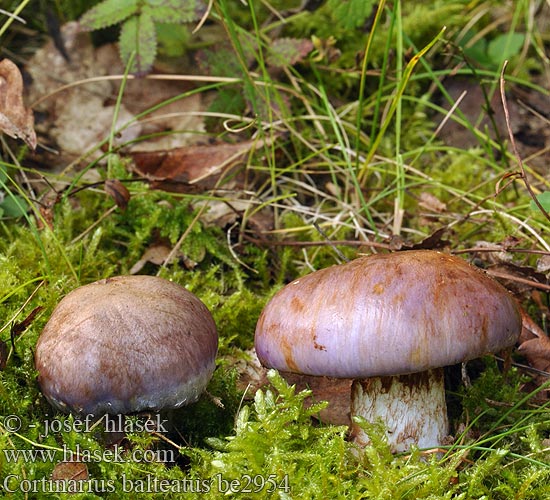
(390, 322)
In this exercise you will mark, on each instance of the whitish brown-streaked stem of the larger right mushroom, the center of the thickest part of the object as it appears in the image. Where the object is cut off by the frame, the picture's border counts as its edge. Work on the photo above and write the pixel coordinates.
(411, 406)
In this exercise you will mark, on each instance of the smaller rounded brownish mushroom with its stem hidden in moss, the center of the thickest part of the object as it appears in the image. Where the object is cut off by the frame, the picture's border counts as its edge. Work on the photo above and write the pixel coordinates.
(126, 344)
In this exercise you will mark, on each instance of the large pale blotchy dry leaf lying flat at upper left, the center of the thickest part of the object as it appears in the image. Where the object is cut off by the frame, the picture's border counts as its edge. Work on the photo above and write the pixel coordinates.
(76, 119)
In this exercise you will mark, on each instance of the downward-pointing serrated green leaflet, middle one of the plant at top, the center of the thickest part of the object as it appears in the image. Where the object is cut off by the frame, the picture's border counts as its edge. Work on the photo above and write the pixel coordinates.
(138, 36)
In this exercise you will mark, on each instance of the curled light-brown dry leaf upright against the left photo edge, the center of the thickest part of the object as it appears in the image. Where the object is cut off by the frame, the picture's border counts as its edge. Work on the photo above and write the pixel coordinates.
(16, 120)
